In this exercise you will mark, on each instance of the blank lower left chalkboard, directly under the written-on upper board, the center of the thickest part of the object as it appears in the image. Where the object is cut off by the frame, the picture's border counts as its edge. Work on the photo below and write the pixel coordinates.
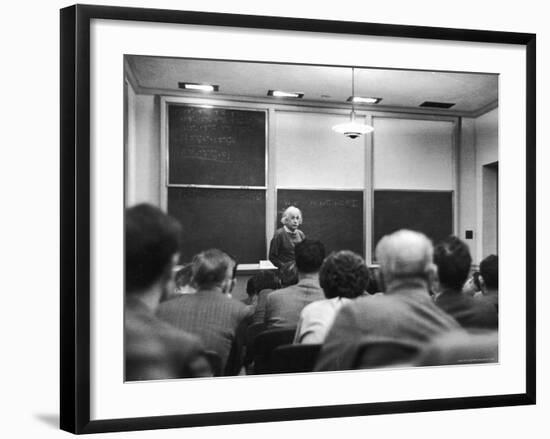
(232, 220)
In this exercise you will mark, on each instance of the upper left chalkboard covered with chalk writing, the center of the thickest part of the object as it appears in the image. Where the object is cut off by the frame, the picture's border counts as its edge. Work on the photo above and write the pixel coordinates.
(216, 146)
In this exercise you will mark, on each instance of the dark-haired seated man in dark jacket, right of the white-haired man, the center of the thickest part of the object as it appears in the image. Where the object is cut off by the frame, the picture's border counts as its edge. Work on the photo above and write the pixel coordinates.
(453, 260)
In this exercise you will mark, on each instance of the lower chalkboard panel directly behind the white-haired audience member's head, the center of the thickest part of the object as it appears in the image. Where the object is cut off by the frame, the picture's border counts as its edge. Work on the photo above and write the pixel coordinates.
(429, 212)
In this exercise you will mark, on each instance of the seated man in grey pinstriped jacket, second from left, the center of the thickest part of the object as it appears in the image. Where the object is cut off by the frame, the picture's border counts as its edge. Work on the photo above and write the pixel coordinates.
(211, 313)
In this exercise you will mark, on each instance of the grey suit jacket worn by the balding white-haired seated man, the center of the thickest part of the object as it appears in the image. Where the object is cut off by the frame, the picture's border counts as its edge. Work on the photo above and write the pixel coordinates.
(405, 313)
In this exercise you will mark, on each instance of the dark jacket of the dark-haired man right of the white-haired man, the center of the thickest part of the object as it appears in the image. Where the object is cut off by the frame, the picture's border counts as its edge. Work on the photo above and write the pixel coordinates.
(472, 314)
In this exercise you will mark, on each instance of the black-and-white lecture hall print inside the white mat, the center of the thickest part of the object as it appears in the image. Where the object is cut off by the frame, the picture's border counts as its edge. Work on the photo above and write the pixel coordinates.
(294, 218)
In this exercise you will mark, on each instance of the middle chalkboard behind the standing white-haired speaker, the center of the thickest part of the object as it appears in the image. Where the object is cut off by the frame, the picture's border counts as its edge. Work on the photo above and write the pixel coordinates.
(333, 217)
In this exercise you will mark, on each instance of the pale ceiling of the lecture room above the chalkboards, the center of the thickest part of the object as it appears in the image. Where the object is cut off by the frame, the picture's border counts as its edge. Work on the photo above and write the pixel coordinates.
(472, 93)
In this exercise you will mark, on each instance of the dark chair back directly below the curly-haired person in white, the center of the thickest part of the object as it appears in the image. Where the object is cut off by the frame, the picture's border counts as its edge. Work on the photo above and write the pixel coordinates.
(293, 358)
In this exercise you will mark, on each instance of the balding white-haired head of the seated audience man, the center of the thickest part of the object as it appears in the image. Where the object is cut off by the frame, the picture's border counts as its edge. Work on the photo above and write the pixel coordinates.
(405, 254)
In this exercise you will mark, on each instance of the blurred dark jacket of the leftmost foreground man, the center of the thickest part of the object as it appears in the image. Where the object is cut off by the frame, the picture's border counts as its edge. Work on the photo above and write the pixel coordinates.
(155, 350)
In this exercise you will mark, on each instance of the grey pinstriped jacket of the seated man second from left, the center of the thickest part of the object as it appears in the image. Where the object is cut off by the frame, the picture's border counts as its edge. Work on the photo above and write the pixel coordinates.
(217, 319)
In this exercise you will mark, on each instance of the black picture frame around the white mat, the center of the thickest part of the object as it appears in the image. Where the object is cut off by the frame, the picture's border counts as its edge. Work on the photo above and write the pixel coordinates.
(76, 210)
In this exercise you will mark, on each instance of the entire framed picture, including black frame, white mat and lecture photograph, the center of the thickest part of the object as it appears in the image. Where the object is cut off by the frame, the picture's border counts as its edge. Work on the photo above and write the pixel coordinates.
(271, 219)
